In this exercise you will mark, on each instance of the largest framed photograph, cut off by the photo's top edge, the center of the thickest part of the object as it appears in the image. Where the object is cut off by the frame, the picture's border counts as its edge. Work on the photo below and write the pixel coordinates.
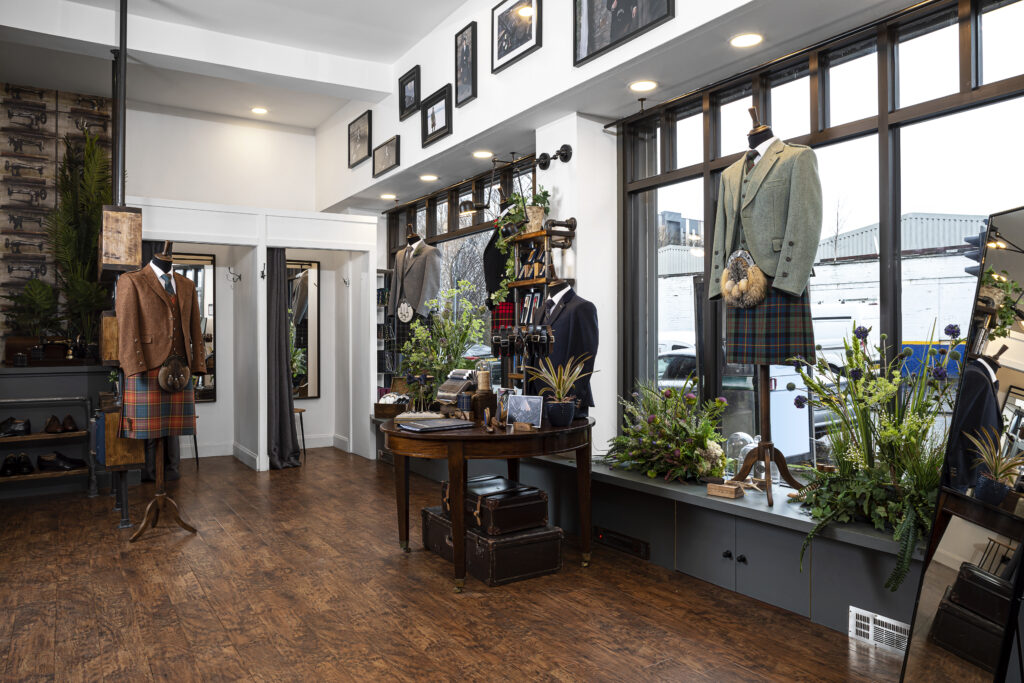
(601, 26)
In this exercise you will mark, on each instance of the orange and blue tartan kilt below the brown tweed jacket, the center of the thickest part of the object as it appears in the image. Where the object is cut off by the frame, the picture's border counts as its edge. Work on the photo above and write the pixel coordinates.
(149, 412)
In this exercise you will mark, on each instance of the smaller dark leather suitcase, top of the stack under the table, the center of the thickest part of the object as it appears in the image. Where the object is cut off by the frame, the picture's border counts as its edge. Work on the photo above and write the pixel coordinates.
(496, 506)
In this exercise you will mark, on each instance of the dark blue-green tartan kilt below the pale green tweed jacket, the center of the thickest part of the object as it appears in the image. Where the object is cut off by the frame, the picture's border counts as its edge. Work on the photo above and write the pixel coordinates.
(772, 333)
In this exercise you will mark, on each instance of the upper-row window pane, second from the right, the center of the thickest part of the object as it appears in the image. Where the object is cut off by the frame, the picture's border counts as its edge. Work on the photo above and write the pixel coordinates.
(928, 60)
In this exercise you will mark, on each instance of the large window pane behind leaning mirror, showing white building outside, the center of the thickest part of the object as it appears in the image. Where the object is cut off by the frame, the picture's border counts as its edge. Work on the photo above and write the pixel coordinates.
(947, 195)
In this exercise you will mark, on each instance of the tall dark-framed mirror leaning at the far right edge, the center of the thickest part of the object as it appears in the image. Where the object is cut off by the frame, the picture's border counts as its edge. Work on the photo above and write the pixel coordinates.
(966, 625)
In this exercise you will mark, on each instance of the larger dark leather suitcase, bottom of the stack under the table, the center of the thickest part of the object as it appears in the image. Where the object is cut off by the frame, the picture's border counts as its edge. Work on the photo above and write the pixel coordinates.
(497, 561)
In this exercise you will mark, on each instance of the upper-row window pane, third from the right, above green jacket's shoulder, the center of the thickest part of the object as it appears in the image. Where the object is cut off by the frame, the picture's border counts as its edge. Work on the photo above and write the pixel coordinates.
(854, 79)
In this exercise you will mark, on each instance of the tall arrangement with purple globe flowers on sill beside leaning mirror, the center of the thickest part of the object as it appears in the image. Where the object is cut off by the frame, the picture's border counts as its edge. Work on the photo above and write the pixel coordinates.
(888, 441)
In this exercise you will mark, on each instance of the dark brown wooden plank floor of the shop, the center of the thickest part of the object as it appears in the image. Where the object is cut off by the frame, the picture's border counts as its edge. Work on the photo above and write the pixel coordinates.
(297, 575)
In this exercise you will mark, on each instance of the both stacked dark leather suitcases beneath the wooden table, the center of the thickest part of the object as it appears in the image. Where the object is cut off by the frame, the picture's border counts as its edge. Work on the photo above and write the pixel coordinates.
(507, 534)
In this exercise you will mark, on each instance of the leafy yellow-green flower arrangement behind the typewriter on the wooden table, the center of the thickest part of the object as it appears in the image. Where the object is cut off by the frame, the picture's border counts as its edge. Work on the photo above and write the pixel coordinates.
(437, 348)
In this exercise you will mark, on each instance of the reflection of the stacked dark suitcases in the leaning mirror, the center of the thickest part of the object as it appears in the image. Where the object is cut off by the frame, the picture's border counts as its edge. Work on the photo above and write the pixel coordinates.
(972, 617)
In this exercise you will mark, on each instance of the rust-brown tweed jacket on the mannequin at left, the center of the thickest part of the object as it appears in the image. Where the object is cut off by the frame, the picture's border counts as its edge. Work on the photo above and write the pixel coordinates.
(146, 322)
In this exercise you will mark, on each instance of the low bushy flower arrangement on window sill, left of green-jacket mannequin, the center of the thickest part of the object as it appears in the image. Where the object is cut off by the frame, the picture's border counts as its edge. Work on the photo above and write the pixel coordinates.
(669, 434)
